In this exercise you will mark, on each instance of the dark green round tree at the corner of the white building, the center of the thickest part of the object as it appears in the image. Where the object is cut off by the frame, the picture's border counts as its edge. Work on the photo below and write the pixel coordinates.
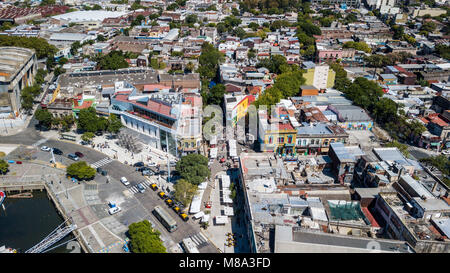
(193, 168)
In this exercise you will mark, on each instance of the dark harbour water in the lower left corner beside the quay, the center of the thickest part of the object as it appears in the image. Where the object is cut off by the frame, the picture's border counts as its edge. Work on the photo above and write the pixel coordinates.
(27, 221)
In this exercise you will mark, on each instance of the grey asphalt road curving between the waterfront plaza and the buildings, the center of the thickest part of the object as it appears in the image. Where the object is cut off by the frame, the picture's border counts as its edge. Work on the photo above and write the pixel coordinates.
(116, 170)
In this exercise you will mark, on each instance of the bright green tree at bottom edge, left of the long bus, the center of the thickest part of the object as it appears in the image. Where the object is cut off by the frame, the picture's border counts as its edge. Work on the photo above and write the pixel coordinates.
(145, 239)
